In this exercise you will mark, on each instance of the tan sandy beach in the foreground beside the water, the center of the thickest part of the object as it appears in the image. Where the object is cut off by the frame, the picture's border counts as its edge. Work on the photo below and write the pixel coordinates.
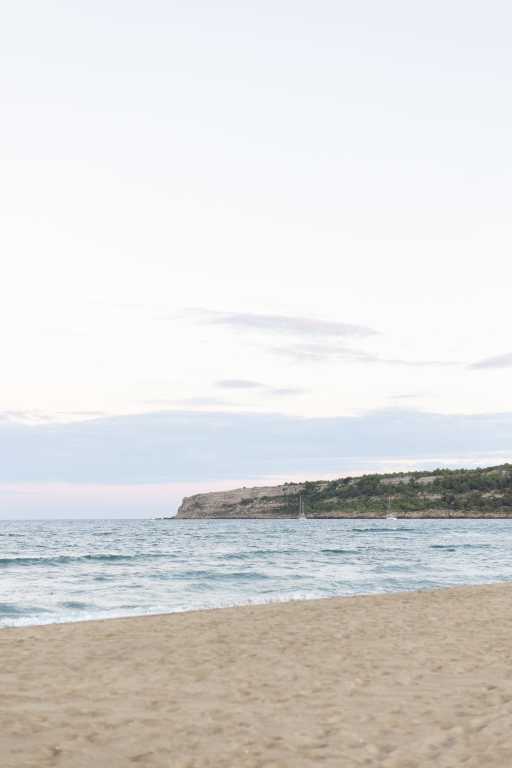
(404, 680)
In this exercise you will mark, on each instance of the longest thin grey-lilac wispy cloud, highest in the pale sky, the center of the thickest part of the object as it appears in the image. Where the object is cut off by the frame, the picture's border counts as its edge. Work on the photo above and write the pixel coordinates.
(283, 324)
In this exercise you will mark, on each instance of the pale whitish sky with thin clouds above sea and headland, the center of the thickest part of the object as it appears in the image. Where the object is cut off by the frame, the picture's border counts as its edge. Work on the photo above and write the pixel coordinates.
(249, 242)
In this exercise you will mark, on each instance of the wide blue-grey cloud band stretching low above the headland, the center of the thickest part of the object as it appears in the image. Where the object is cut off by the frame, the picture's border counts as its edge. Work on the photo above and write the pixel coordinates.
(188, 447)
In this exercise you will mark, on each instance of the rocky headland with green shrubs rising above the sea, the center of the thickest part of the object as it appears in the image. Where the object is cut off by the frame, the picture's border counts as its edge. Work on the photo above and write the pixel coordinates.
(443, 494)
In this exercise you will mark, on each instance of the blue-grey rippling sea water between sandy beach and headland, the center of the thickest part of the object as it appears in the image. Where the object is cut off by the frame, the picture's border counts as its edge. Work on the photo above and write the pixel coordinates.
(58, 571)
